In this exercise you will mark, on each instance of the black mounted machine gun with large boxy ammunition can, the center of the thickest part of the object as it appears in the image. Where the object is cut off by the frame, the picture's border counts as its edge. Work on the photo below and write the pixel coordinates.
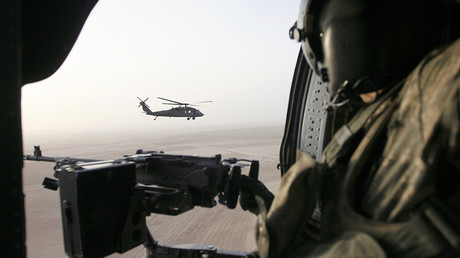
(104, 202)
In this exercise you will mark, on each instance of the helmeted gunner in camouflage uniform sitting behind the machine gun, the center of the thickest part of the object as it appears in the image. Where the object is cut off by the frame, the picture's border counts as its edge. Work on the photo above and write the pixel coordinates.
(388, 183)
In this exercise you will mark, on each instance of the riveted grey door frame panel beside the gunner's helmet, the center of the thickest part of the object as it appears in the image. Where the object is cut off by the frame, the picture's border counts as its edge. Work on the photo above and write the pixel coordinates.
(306, 124)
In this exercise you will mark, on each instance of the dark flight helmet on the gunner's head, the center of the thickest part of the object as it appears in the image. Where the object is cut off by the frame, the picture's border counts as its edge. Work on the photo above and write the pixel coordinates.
(360, 46)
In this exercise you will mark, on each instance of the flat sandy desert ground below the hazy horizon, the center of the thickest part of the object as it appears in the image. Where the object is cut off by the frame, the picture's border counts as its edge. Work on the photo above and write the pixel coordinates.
(218, 226)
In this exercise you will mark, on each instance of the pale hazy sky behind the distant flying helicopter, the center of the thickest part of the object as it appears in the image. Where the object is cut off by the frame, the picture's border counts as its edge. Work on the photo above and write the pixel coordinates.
(236, 53)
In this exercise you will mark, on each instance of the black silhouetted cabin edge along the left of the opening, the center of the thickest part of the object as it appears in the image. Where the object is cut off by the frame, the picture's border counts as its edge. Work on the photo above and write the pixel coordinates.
(36, 37)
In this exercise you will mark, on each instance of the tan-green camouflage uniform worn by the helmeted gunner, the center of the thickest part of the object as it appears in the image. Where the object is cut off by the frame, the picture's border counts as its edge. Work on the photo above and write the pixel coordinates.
(388, 181)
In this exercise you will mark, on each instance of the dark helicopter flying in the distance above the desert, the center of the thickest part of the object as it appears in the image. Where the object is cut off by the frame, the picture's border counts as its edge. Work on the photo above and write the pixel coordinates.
(183, 109)
